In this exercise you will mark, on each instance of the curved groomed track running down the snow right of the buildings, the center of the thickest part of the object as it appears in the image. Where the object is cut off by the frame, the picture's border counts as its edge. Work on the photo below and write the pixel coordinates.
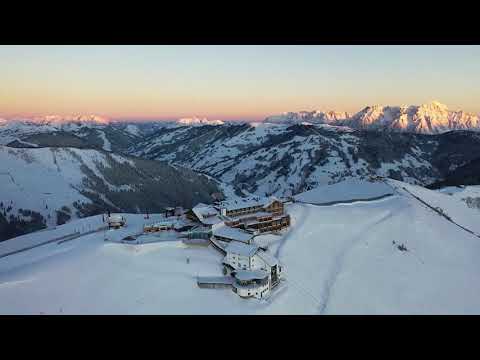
(338, 263)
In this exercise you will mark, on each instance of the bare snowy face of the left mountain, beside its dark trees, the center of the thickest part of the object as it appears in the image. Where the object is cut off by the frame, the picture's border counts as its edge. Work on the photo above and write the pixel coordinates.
(43, 180)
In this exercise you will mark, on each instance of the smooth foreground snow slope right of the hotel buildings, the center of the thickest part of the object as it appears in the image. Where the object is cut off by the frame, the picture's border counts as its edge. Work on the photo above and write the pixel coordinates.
(345, 258)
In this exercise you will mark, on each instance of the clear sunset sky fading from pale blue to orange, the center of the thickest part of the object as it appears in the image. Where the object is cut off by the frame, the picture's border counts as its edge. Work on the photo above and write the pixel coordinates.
(232, 82)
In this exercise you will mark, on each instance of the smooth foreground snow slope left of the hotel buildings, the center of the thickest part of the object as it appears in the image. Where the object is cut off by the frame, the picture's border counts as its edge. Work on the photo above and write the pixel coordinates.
(113, 278)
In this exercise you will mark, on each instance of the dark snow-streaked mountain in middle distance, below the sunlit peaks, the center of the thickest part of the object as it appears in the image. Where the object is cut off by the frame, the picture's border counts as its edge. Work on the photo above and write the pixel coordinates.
(283, 160)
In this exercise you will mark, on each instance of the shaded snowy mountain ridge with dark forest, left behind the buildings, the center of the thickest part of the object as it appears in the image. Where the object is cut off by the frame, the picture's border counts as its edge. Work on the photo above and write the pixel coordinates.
(48, 186)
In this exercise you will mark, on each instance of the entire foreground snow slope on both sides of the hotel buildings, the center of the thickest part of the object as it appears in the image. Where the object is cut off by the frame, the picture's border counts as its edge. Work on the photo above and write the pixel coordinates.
(339, 259)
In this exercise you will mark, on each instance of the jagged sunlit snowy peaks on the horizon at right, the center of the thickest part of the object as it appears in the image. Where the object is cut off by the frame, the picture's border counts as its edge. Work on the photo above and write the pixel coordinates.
(430, 118)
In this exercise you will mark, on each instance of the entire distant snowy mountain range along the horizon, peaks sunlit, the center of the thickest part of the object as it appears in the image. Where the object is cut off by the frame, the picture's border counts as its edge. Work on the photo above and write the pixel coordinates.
(430, 118)
